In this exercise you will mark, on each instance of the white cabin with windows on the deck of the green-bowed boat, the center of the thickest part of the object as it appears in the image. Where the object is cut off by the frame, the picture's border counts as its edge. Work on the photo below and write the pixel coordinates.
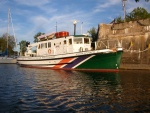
(59, 45)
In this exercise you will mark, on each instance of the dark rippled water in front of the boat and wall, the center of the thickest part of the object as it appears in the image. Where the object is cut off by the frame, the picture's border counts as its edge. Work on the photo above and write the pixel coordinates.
(26, 90)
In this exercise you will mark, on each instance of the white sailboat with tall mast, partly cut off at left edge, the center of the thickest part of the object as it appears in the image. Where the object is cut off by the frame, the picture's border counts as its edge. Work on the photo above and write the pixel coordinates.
(4, 58)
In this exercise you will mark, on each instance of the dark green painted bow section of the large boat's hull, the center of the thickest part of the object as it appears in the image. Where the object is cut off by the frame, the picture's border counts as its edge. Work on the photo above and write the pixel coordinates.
(103, 61)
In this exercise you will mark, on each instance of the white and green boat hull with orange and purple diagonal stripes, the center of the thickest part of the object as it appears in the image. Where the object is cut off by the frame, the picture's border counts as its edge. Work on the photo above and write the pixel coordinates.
(92, 61)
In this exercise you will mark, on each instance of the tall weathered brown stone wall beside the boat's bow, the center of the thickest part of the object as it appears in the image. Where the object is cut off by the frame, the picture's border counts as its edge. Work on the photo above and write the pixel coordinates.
(134, 37)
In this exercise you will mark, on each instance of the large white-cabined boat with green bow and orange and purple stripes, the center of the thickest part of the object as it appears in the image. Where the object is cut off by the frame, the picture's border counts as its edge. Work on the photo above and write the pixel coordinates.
(70, 52)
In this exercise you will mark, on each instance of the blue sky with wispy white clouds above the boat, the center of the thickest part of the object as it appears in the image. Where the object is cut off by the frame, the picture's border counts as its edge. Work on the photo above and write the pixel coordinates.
(32, 16)
